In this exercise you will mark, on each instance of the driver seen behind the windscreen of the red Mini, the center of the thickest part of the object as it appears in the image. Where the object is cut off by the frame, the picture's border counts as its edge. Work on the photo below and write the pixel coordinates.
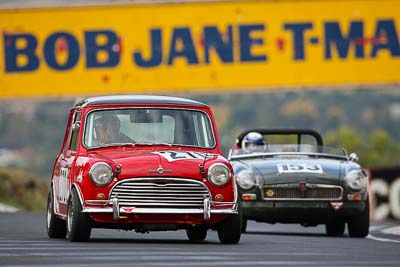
(107, 129)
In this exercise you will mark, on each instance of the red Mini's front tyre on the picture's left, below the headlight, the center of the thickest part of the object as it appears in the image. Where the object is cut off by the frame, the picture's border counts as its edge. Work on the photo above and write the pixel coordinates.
(78, 223)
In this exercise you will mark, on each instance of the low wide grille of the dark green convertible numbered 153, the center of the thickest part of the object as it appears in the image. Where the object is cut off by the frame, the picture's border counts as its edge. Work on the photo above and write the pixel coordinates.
(311, 192)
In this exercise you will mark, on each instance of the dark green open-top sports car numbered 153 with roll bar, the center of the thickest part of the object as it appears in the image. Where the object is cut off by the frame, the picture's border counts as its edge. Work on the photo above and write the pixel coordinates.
(288, 176)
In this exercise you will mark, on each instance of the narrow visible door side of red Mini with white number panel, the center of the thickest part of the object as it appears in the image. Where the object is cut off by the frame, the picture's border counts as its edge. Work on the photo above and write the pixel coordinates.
(64, 163)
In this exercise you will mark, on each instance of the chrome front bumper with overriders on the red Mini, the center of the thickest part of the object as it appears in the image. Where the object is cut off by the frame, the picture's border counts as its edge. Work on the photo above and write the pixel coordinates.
(209, 207)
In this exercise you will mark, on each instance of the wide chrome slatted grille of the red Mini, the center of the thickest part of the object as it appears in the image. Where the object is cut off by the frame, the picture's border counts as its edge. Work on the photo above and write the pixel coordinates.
(160, 193)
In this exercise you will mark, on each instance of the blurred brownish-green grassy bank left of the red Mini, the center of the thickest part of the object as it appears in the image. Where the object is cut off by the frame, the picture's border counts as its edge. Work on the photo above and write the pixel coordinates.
(23, 190)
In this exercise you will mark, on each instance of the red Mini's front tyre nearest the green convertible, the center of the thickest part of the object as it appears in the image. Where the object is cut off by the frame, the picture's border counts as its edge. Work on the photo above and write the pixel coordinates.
(230, 230)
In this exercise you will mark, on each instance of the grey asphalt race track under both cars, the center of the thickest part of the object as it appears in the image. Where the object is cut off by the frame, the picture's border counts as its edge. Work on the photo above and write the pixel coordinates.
(23, 242)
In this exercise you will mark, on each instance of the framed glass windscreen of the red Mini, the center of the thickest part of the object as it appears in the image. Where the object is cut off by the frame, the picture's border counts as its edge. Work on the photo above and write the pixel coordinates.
(149, 126)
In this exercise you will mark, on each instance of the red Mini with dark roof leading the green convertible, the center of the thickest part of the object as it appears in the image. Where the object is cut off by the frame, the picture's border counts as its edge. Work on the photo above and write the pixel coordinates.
(143, 163)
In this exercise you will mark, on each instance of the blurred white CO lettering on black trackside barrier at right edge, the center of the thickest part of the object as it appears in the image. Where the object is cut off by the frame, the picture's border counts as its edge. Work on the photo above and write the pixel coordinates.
(380, 188)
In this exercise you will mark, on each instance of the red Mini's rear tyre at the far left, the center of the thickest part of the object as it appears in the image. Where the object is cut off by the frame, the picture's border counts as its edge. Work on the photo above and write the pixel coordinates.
(56, 227)
